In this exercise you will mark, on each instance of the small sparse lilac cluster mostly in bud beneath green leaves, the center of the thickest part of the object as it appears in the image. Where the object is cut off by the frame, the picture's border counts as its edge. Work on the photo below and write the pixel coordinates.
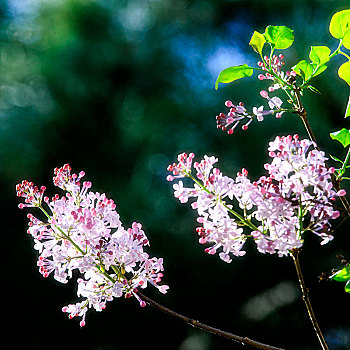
(238, 113)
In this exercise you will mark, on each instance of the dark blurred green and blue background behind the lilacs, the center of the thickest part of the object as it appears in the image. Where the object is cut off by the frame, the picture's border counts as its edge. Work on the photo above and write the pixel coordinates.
(118, 89)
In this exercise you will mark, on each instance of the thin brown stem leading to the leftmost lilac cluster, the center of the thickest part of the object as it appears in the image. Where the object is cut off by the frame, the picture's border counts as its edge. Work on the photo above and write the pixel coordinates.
(197, 324)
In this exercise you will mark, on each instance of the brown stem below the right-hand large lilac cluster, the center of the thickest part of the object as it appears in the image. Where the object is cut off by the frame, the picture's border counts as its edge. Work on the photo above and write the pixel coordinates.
(305, 295)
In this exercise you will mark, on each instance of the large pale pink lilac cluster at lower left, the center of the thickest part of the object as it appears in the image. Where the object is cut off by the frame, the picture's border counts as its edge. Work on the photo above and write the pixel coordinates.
(83, 232)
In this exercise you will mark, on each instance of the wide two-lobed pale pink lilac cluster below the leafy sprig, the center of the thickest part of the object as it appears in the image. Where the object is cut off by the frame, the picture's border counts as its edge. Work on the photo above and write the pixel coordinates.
(296, 196)
